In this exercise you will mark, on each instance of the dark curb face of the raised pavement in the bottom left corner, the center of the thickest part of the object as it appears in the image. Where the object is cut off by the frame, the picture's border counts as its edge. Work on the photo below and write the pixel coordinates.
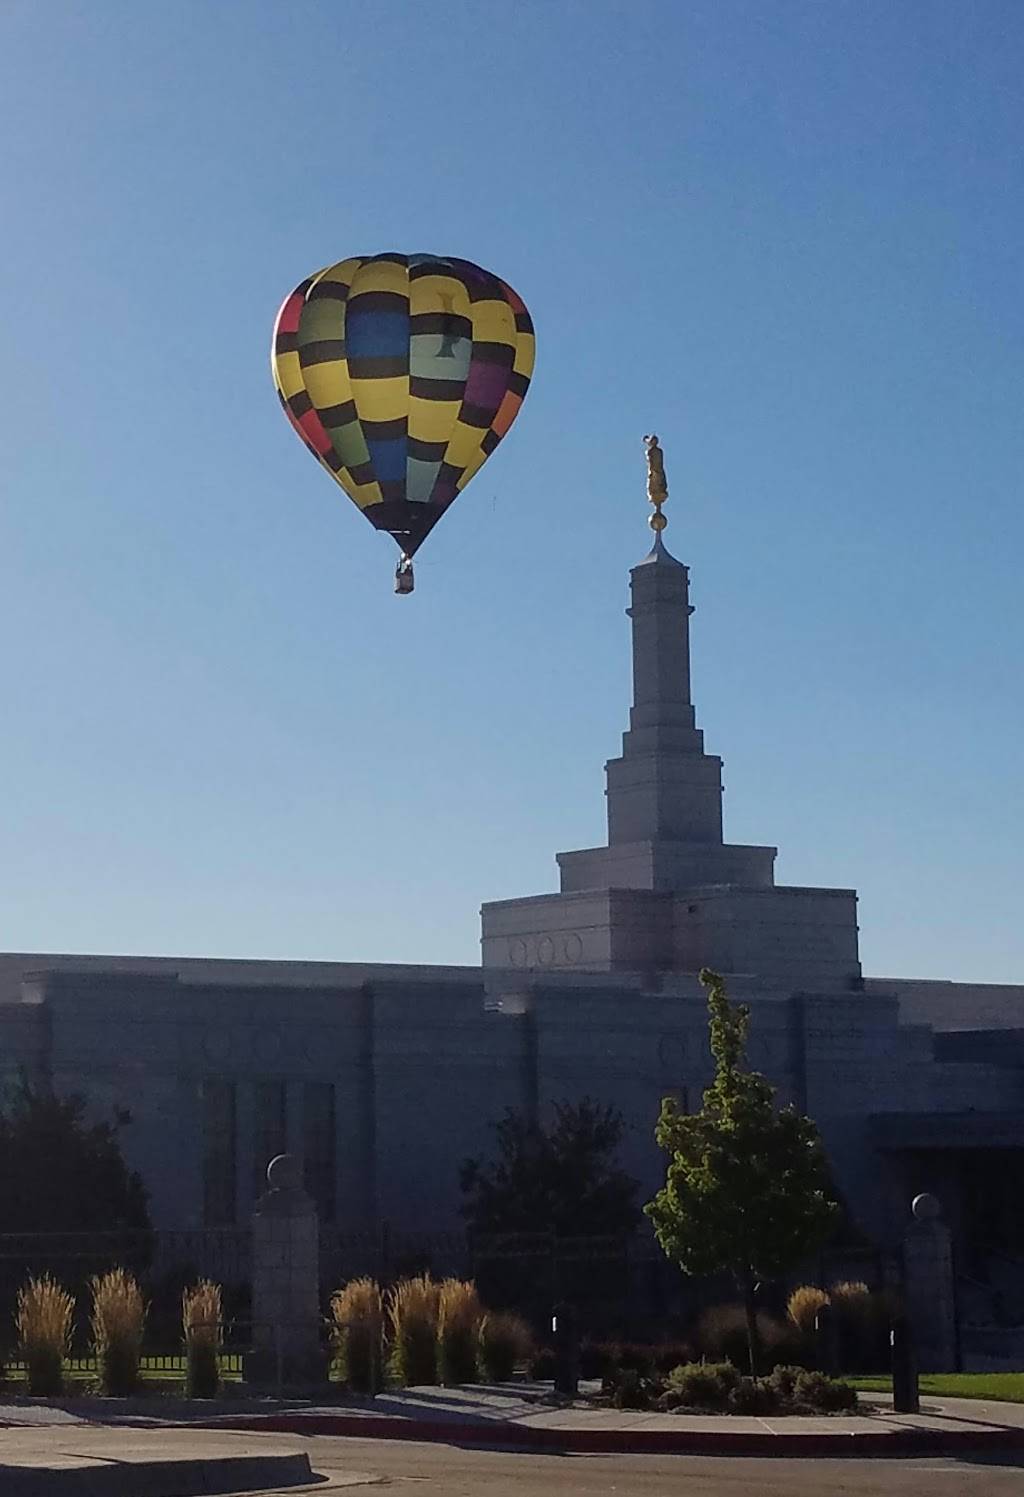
(159, 1478)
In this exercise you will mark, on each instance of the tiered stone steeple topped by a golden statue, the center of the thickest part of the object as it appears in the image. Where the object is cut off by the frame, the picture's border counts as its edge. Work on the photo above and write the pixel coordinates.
(667, 893)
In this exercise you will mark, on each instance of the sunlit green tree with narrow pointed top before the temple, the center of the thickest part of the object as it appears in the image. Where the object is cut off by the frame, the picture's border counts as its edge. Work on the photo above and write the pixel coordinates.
(748, 1188)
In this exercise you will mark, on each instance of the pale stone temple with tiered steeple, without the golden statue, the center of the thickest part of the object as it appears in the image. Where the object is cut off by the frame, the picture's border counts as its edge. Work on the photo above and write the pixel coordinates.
(384, 1079)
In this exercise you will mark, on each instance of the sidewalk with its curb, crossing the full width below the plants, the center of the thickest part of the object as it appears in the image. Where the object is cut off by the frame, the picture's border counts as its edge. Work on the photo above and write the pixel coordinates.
(526, 1415)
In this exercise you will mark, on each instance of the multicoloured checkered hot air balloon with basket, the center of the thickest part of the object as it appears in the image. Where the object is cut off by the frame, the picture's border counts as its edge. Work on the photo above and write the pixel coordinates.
(402, 374)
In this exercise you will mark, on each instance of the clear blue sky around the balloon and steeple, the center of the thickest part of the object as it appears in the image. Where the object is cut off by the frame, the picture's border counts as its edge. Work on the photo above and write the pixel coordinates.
(785, 236)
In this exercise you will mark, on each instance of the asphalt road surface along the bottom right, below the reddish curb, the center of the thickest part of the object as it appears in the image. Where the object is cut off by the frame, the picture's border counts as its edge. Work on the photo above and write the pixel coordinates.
(453, 1472)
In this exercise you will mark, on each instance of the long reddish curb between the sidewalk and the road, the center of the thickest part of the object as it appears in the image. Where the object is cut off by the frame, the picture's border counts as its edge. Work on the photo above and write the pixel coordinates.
(909, 1441)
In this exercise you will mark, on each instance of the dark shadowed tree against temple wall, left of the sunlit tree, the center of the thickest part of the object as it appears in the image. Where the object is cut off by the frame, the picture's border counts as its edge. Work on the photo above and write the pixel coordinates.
(562, 1179)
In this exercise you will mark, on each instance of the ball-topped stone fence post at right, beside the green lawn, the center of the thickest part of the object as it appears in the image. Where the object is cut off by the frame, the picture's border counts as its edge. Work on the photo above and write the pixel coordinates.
(930, 1288)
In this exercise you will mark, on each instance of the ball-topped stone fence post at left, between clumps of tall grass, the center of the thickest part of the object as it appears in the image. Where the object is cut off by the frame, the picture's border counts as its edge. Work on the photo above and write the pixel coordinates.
(287, 1284)
